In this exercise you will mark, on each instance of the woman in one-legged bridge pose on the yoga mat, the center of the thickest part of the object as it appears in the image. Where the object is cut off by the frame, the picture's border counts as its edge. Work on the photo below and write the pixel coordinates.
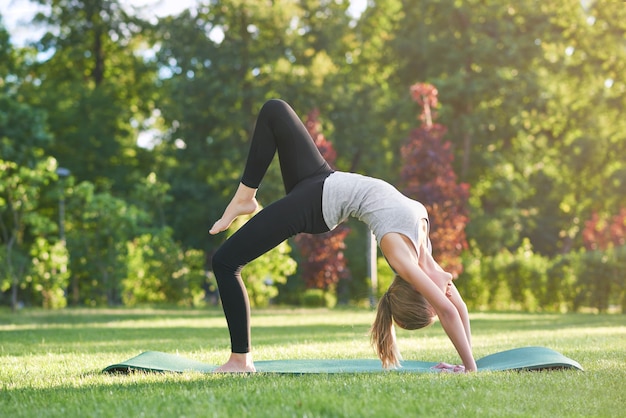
(317, 200)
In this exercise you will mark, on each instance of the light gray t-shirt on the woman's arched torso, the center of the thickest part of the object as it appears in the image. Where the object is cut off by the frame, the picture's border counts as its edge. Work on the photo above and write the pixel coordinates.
(377, 203)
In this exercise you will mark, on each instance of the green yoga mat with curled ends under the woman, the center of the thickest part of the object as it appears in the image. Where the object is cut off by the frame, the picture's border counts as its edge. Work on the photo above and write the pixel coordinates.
(525, 358)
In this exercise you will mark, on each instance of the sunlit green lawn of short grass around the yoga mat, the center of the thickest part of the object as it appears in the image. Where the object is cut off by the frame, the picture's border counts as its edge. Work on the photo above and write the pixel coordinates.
(51, 362)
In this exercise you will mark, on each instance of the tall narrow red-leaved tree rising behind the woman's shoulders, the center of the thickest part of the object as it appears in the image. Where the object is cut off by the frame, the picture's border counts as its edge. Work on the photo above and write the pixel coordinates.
(428, 177)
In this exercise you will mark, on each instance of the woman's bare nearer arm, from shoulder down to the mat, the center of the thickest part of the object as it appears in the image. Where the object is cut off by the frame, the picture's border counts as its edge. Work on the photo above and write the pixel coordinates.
(402, 257)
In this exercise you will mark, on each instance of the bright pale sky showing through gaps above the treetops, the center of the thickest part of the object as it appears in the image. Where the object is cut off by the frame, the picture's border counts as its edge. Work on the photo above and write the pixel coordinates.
(16, 14)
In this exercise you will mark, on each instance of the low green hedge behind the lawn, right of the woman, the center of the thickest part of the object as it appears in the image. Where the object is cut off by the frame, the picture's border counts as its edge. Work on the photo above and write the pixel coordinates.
(529, 281)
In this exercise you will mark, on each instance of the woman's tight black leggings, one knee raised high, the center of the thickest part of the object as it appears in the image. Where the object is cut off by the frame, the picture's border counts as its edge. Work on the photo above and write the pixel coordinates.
(303, 170)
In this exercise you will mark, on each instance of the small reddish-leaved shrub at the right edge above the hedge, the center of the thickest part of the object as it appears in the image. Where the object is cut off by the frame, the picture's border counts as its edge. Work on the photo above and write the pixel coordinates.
(600, 234)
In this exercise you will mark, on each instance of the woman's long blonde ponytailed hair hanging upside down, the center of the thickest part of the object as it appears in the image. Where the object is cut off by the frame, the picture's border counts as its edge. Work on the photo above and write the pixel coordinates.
(408, 308)
